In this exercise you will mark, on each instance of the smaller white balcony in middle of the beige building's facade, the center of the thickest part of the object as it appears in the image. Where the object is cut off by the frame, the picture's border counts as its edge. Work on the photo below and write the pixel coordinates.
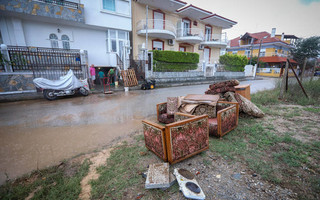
(190, 35)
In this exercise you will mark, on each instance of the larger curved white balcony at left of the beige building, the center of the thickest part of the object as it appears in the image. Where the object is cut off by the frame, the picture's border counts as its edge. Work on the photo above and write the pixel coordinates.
(163, 29)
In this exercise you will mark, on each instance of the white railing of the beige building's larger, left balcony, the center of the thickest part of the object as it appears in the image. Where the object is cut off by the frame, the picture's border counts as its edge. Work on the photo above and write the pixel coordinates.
(157, 25)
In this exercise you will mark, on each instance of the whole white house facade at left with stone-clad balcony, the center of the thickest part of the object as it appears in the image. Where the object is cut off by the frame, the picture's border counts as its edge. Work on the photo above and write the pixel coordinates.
(101, 27)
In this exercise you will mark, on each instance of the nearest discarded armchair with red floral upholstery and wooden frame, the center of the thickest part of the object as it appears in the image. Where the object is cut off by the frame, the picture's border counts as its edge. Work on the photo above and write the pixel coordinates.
(173, 142)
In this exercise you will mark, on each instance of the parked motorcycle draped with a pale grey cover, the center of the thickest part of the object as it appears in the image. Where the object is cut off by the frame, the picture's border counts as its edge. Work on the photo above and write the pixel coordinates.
(66, 85)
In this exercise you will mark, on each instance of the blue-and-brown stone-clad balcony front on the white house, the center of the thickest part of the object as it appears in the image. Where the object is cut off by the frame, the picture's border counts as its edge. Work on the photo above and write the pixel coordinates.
(57, 9)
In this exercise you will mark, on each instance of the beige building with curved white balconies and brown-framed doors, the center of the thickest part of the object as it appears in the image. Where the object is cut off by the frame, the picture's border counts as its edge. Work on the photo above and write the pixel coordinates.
(172, 25)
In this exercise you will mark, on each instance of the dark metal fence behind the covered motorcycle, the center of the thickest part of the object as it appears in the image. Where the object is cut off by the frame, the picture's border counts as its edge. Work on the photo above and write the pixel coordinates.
(46, 62)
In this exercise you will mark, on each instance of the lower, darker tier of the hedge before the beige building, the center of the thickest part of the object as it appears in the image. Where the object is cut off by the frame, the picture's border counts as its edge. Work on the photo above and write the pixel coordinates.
(159, 66)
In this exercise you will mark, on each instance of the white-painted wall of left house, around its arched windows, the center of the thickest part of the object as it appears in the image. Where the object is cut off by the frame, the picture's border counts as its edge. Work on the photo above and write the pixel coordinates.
(29, 23)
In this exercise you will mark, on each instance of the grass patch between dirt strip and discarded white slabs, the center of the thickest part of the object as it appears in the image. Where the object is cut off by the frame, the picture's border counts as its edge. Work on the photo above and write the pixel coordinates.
(122, 172)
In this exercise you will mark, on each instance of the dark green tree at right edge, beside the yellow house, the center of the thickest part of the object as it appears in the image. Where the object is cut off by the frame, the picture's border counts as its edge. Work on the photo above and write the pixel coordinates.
(306, 48)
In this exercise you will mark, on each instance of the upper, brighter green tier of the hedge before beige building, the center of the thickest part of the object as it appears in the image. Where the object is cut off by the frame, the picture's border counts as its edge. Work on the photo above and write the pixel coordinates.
(175, 56)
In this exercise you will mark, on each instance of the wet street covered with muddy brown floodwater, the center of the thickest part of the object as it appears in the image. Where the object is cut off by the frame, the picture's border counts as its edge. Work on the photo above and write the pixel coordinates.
(38, 133)
